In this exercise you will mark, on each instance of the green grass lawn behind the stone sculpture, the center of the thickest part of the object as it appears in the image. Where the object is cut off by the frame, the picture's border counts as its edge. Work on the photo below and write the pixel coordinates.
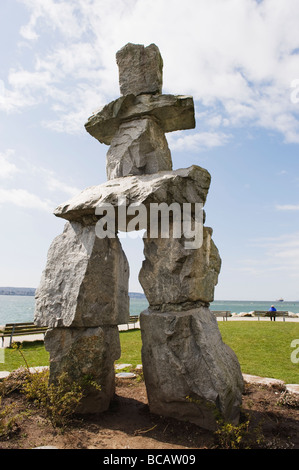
(262, 348)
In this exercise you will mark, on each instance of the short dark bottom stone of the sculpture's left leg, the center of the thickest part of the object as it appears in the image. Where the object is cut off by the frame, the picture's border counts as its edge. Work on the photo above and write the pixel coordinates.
(86, 354)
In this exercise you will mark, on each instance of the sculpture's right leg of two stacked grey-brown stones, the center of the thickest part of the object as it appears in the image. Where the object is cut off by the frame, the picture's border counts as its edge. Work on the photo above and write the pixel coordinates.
(190, 374)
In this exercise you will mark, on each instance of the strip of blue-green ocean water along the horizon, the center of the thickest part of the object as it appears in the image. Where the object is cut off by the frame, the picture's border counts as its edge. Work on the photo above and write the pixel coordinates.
(19, 308)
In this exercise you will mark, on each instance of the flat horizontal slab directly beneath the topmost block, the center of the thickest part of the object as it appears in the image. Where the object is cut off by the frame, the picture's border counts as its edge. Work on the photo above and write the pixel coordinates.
(171, 112)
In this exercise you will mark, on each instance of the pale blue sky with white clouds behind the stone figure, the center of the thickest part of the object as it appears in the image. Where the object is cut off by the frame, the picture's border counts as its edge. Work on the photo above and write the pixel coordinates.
(239, 59)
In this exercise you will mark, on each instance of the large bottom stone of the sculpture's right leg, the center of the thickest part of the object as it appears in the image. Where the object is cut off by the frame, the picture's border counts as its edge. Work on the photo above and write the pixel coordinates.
(190, 374)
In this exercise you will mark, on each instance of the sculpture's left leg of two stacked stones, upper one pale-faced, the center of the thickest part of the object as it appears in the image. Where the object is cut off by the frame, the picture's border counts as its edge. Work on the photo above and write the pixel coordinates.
(82, 297)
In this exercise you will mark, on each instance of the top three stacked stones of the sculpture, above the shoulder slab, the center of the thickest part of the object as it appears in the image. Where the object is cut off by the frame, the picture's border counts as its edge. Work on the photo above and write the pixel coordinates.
(134, 125)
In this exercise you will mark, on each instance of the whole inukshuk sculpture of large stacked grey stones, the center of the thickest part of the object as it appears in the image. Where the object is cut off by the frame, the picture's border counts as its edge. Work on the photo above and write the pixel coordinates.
(190, 374)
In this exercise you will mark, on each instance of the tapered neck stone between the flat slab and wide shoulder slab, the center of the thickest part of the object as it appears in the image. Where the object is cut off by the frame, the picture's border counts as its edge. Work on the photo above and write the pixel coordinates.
(138, 147)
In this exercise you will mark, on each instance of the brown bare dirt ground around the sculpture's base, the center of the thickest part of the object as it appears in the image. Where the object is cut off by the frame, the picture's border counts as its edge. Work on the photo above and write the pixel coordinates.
(128, 424)
